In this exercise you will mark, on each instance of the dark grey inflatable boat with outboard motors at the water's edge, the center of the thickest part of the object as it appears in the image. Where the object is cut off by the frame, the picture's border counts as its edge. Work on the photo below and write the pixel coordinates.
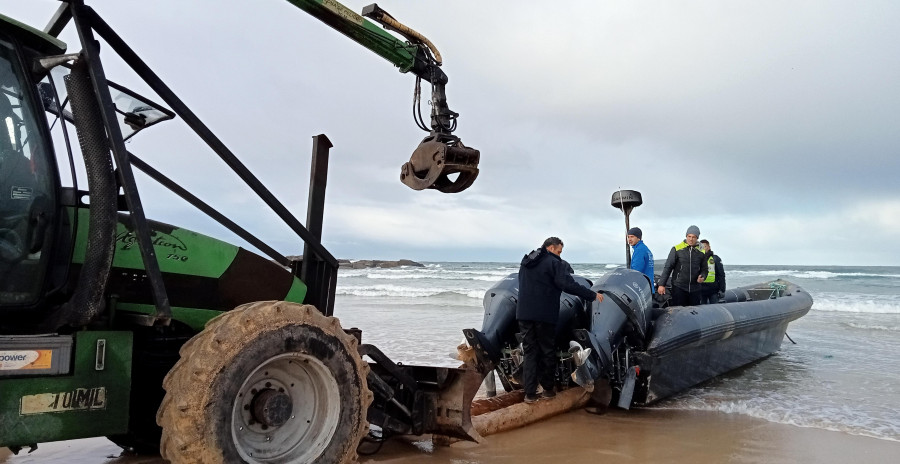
(631, 350)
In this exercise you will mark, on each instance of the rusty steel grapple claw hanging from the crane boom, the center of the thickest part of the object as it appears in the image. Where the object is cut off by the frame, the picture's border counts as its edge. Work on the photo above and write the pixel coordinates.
(438, 157)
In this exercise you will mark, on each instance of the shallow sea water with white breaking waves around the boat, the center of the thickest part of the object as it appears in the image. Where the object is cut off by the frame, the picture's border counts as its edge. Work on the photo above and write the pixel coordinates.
(842, 374)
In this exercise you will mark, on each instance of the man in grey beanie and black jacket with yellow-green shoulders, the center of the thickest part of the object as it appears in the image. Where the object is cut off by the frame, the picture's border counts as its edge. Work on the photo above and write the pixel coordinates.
(690, 266)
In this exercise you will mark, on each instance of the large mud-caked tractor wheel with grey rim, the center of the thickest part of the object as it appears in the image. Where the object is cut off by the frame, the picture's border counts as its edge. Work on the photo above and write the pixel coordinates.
(269, 382)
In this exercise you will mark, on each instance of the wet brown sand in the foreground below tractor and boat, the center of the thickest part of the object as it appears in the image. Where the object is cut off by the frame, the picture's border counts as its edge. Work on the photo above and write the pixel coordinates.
(658, 436)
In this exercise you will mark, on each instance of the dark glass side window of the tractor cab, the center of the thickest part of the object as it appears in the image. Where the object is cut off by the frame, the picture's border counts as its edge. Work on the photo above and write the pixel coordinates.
(26, 188)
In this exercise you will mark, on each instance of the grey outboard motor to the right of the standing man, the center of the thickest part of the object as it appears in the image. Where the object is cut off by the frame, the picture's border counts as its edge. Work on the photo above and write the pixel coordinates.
(624, 313)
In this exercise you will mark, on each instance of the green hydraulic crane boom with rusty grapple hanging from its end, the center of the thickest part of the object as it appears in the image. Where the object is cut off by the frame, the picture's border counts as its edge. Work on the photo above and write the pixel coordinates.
(441, 154)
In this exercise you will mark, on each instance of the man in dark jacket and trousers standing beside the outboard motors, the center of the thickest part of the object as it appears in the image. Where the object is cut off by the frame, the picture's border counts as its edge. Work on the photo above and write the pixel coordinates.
(543, 276)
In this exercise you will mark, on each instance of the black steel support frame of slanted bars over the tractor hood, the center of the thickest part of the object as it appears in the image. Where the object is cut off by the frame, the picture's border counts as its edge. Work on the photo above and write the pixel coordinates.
(318, 268)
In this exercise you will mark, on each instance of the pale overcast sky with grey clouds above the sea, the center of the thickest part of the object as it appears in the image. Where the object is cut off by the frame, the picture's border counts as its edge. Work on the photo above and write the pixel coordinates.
(773, 126)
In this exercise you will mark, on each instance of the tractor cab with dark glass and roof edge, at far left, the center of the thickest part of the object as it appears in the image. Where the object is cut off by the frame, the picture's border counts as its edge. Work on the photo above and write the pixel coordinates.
(28, 177)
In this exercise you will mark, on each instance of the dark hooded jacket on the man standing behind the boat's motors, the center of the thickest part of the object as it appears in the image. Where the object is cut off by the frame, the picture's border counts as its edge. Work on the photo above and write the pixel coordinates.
(543, 276)
